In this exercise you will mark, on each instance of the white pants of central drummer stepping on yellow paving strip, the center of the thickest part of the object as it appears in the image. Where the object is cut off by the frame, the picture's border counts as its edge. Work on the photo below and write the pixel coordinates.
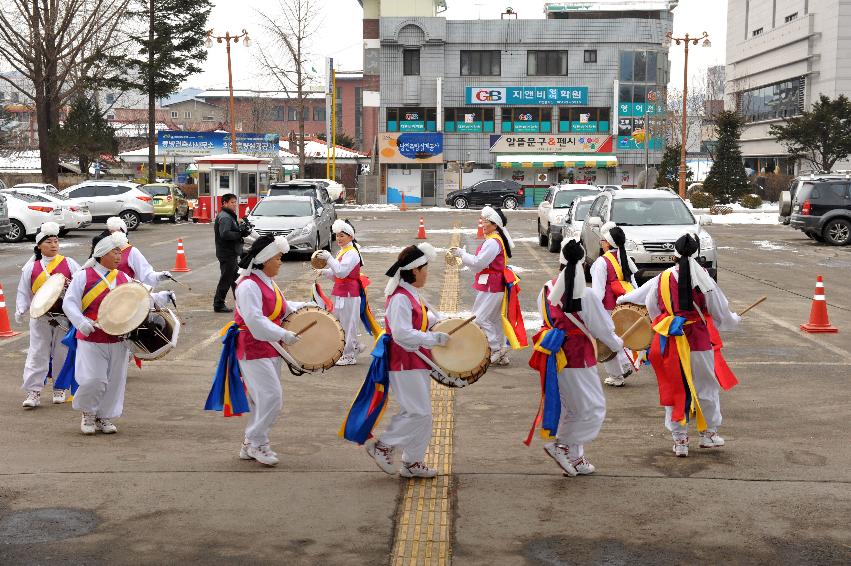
(410, 428)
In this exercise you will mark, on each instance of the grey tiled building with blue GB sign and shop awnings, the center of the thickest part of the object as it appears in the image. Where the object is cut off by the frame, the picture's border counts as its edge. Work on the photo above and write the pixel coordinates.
(539, 101)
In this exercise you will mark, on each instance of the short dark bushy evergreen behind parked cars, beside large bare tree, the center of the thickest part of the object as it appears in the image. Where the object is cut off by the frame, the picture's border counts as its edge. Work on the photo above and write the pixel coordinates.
(85, 133)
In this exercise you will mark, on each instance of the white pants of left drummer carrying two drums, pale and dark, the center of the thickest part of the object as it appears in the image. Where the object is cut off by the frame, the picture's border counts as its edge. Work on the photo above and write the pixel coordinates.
(101, 372)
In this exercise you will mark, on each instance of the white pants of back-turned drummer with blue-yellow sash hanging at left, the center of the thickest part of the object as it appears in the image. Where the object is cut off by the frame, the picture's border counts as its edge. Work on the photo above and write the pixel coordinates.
(583, 408)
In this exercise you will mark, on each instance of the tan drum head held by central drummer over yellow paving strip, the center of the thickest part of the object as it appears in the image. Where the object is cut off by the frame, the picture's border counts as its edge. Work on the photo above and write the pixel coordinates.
(467, 355)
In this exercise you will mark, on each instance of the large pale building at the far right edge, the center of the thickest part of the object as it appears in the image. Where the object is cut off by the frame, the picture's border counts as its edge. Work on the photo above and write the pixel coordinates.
(781, 56)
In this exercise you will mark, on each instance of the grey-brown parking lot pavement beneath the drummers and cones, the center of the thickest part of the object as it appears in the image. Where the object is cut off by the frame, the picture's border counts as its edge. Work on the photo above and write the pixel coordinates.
(169, 487)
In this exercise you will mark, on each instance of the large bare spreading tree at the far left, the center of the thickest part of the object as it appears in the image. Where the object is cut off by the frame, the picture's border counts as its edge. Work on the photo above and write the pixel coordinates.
(53, 44)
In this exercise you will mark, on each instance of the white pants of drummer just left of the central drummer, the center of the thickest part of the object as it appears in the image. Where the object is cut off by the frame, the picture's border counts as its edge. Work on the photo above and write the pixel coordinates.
(263, 380)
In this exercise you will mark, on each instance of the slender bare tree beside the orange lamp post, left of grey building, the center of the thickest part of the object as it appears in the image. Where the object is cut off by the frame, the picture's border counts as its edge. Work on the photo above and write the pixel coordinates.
(286, 54)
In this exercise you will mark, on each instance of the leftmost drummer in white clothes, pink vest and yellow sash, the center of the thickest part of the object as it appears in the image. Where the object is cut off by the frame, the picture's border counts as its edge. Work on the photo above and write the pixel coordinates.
(46, 352)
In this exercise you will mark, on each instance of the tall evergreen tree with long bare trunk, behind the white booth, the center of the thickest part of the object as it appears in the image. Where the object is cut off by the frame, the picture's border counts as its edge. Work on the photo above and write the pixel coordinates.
(167, 47)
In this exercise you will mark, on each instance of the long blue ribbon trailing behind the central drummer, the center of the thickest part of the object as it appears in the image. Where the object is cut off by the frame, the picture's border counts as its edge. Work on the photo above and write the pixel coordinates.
(371, 399)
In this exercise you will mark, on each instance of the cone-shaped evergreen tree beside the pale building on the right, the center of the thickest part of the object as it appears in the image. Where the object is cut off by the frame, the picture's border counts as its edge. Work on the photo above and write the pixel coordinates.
(727, 179)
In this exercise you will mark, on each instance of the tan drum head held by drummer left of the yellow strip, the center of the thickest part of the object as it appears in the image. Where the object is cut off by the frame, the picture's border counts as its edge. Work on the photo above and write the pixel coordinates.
(319, 347)
